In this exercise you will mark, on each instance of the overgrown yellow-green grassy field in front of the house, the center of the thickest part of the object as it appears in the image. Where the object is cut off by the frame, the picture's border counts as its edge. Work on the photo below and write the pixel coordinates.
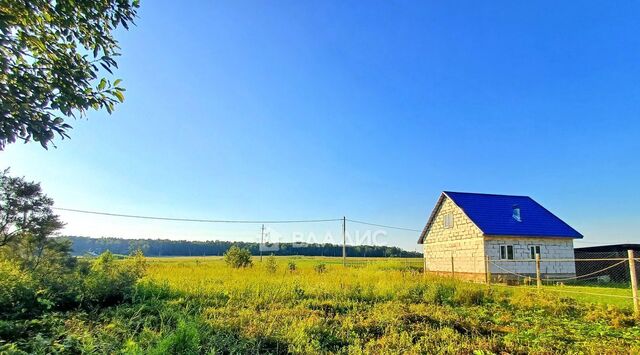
(200, 305)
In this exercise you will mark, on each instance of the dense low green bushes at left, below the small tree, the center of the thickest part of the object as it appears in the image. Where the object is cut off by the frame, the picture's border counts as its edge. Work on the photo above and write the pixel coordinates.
(34, 306)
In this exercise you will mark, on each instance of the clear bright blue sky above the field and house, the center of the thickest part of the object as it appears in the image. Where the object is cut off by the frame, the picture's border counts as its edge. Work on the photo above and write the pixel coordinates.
(301, 109)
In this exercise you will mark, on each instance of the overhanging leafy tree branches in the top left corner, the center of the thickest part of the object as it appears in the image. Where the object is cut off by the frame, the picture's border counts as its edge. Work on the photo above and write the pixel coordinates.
(51, 53)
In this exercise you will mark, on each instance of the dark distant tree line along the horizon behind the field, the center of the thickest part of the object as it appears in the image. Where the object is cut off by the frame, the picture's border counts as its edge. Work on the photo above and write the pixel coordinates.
(162, 247)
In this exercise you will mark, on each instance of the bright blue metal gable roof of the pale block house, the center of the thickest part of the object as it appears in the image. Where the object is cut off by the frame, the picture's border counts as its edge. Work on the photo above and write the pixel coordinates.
(493, 214)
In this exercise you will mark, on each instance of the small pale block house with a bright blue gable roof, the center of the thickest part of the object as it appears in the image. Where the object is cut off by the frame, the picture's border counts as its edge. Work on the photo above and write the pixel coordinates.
(468, 234)
